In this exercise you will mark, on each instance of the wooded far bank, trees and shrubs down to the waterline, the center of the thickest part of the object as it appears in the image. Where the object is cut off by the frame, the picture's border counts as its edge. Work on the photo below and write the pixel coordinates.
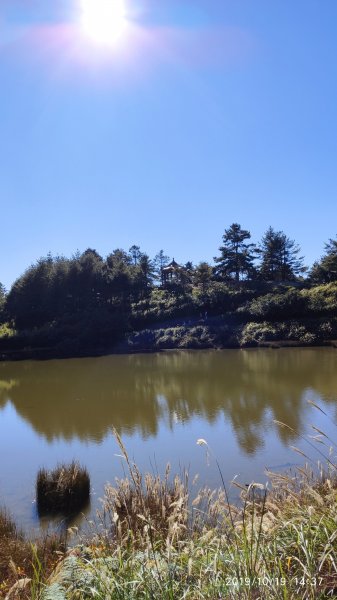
(252, 294)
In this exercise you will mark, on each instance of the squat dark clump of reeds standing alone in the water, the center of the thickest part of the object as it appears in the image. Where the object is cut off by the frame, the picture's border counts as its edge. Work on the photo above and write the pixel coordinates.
(65, 489)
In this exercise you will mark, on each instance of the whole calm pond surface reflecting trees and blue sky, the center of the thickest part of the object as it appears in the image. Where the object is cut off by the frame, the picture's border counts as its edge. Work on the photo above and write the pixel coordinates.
(60, 410)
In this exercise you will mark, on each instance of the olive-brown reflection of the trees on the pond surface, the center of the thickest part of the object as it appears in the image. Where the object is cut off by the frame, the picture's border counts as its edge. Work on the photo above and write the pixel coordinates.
(83, 398)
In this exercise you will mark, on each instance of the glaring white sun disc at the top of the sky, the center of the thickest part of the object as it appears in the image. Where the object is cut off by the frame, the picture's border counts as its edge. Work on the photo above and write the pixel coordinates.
(104, 20)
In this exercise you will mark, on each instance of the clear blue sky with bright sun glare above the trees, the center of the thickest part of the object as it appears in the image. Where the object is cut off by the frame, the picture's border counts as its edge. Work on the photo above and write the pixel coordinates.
(196, 115)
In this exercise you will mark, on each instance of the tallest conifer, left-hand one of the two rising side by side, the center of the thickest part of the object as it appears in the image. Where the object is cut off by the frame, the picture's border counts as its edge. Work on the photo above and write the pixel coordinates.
(236, 260)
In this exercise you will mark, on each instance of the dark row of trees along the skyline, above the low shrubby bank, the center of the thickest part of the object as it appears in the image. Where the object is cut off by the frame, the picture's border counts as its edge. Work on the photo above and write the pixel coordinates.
(55, 286)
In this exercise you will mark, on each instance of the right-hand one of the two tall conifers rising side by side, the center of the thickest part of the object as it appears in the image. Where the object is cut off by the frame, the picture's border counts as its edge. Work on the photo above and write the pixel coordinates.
(280, 260)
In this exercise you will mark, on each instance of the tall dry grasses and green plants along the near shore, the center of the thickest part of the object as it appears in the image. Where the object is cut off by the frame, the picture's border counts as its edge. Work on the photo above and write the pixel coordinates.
(153, 539)
